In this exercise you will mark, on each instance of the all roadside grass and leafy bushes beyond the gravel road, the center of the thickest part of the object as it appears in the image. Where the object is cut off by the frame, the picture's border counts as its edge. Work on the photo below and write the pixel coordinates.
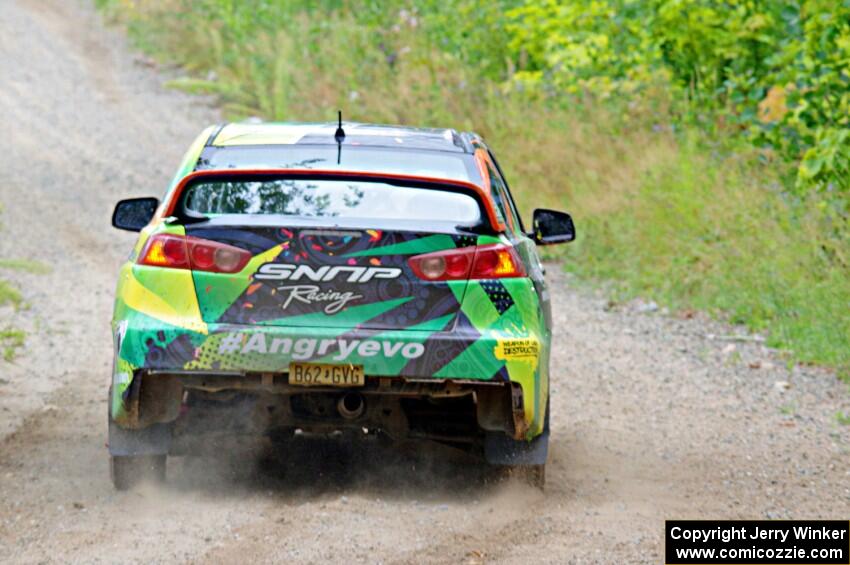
(702, 145)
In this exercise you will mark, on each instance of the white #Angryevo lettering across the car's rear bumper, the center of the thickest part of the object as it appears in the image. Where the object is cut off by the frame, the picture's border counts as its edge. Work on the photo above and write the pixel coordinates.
(306, 348)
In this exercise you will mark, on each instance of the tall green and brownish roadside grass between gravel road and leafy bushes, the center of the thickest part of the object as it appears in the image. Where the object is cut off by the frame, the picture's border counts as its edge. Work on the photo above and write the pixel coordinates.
(680, 215)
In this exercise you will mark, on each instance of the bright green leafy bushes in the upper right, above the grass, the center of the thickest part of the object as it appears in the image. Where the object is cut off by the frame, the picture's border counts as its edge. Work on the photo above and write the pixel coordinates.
(724, 57)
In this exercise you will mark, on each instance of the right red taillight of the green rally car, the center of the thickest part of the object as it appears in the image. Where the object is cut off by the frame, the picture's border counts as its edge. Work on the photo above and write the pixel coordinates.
(483, 262)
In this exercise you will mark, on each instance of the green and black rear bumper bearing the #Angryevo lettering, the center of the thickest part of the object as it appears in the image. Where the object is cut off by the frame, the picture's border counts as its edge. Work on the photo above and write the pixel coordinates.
(147, 347)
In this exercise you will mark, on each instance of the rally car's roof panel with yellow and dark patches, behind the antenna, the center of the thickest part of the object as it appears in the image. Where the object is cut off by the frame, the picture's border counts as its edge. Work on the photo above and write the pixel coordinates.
(359, 134)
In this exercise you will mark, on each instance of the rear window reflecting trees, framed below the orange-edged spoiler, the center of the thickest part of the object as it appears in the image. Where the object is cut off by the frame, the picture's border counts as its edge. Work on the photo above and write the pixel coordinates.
(331, 198)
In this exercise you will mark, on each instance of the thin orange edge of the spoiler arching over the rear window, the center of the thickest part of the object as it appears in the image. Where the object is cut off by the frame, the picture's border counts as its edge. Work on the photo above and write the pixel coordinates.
(480, 192)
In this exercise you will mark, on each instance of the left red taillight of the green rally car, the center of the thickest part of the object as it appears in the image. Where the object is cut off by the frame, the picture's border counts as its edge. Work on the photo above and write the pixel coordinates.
(179, 252)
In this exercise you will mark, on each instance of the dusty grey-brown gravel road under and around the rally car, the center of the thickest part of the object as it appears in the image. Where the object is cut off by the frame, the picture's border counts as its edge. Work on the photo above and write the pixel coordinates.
(653, 416)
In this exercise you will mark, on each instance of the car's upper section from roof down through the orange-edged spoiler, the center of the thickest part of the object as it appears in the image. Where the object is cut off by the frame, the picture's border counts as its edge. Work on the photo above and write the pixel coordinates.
(405, 154)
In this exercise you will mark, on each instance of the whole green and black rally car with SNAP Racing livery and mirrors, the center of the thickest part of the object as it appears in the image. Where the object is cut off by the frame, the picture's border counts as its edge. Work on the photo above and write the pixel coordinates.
(376, 282)
